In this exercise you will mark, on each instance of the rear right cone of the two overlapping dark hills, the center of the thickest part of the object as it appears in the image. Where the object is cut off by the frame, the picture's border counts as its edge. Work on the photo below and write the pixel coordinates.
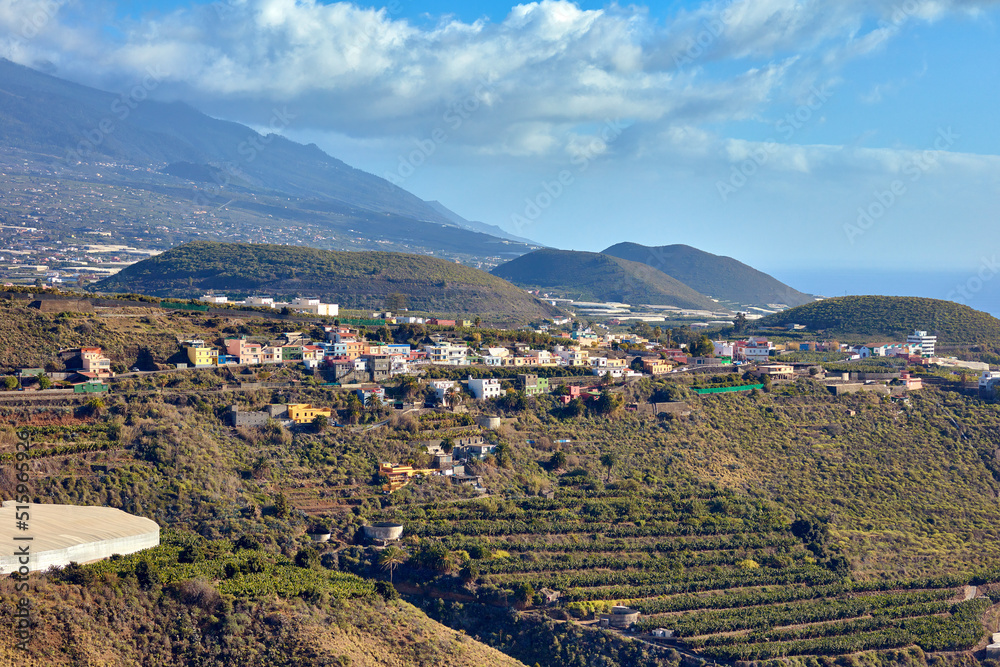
(722, 278)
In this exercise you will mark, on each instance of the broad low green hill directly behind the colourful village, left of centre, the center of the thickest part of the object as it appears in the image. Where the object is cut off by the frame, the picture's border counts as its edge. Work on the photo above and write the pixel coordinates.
(359, 280)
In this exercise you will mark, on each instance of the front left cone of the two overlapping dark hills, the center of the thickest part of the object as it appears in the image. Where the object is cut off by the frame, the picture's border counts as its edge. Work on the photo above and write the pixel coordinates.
(591, 276)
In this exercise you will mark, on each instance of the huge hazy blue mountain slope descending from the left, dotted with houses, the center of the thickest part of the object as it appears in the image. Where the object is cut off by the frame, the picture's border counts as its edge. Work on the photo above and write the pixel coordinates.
(70, 133)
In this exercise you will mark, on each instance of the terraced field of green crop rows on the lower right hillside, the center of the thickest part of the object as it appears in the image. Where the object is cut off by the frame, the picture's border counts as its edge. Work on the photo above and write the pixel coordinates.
(728, 574)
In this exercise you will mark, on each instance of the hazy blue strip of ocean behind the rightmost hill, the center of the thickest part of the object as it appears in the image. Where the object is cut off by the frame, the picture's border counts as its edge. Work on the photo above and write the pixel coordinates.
(979, 293)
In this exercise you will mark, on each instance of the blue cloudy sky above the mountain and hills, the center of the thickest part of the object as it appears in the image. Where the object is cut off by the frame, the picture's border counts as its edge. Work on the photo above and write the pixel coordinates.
(805, 138)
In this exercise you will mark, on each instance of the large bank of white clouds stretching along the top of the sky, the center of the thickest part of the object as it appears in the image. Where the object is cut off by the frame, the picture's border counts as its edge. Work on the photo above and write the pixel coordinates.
(551, 68)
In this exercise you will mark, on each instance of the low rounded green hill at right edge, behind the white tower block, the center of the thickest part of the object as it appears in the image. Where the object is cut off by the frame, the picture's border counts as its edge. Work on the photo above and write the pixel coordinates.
(893, 317)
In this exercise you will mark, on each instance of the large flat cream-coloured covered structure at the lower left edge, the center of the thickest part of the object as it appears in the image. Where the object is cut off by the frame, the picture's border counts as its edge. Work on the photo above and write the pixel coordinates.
(64, 534)
